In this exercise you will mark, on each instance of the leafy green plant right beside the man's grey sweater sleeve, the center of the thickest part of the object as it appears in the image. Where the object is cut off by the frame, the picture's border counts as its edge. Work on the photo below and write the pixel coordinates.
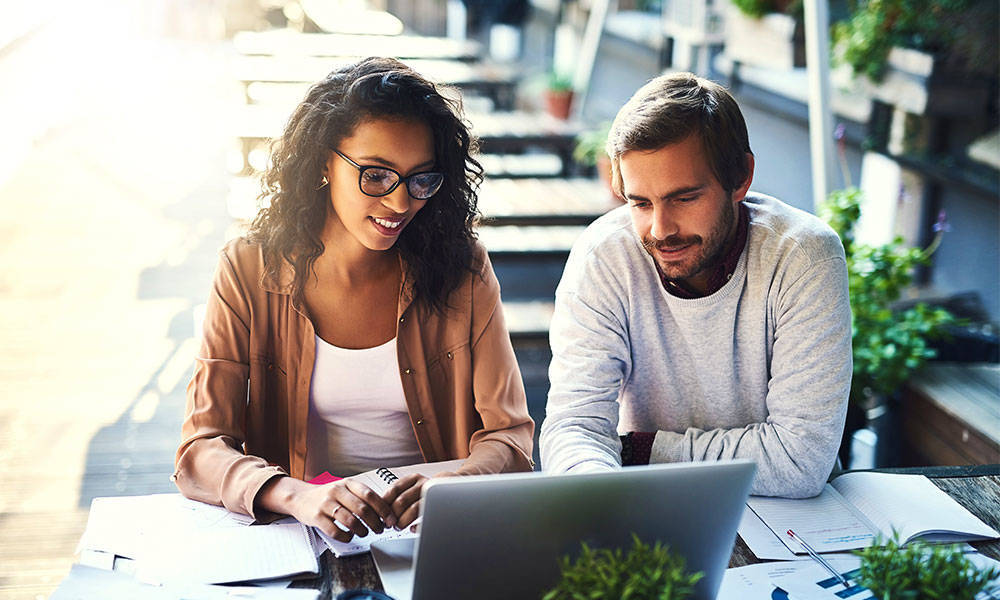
(888, 345)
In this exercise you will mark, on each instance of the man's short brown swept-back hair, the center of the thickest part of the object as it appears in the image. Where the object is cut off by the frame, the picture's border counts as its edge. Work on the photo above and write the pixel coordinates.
(670, 108)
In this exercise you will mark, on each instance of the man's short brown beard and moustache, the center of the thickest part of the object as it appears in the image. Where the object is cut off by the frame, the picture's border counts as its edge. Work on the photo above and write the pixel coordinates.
(706, 254)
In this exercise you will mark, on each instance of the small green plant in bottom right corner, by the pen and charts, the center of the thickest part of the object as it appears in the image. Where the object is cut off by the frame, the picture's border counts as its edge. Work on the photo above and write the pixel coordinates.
(920, 570)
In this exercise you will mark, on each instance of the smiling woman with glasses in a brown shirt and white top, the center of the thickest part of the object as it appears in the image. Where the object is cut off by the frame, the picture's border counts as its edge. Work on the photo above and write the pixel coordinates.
(358, 325)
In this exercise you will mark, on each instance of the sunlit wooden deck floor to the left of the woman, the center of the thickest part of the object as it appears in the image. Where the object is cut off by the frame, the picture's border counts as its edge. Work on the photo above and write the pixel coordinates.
(111, 221)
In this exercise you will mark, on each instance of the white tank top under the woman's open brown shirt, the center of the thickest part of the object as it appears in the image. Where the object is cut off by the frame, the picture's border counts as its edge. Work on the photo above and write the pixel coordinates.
(358, 419)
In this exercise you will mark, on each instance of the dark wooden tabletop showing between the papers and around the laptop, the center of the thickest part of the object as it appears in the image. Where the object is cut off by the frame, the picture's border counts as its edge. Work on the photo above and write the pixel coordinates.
(977, 488)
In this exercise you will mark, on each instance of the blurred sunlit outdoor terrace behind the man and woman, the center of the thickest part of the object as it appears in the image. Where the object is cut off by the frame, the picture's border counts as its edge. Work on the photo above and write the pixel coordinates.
(133, 133)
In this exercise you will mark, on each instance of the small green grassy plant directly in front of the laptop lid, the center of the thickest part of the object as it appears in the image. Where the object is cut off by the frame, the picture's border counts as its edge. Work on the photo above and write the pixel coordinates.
(644, 572)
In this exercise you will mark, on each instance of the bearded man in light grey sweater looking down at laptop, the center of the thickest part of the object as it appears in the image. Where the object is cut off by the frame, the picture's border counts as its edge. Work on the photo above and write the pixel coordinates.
(700, 321)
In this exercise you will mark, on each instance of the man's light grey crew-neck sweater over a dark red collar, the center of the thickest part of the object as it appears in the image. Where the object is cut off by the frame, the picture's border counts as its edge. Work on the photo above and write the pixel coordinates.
(760, 369)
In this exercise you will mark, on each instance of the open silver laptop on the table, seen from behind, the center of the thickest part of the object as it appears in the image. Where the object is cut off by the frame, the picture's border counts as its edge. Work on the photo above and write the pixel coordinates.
(501, 536)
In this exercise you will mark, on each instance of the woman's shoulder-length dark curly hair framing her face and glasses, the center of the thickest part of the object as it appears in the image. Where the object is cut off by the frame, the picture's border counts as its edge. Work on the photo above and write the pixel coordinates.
(437, 245)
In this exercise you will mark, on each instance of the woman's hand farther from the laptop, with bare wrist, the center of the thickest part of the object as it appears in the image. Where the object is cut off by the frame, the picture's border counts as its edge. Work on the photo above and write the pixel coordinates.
(350, 503)
